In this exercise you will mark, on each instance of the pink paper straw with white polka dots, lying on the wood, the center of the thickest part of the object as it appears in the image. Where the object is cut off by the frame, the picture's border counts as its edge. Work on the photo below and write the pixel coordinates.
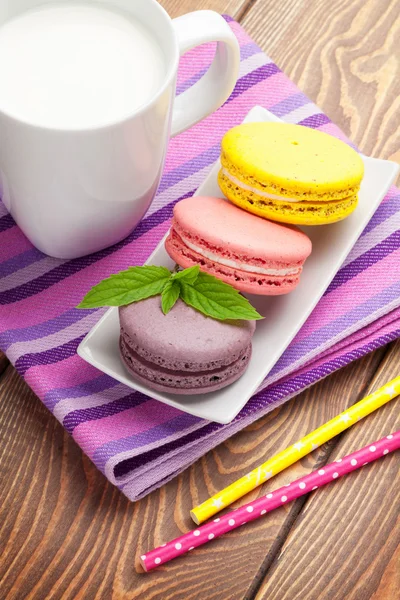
(261, 506)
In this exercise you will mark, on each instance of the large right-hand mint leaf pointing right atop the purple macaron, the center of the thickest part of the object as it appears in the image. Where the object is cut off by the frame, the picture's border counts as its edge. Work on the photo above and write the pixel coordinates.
(217, 299)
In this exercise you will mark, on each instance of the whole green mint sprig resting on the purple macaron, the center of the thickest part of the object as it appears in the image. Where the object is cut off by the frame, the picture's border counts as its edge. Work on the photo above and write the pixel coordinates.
(201, 291)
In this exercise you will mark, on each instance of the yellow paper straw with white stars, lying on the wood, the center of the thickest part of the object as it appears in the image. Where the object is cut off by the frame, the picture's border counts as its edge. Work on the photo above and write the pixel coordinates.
(293, 453)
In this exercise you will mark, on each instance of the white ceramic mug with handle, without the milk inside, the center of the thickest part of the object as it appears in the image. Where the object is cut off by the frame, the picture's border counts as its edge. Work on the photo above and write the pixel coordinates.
(73, 192)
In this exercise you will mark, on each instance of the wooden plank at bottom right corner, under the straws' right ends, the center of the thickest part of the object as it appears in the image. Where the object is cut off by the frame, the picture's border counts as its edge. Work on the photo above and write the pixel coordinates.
(345, 543)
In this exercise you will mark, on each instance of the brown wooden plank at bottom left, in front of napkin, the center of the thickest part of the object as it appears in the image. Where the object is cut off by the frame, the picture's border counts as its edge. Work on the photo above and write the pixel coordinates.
(66, 532)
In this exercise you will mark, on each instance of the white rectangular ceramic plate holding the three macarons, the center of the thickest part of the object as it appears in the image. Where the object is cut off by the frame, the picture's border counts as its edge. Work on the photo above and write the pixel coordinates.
(284, 315)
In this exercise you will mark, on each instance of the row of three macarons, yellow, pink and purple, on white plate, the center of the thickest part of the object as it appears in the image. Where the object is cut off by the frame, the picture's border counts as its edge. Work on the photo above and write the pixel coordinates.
(275, 176)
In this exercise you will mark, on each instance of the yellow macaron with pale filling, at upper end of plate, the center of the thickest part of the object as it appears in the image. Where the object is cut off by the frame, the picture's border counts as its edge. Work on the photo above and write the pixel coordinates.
(290, 173)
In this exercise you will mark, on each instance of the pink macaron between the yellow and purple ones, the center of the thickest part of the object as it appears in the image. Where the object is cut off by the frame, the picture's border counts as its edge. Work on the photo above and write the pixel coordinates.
(252, 254)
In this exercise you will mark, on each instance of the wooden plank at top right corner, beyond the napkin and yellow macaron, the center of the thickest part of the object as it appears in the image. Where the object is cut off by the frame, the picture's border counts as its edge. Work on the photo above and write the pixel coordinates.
(348, 63)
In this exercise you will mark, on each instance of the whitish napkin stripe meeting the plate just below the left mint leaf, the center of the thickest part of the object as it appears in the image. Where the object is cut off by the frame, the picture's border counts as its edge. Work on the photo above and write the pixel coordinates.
(15, 351)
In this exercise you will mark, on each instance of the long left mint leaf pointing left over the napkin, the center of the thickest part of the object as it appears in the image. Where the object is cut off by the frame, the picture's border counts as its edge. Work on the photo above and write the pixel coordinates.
(132, 285)
